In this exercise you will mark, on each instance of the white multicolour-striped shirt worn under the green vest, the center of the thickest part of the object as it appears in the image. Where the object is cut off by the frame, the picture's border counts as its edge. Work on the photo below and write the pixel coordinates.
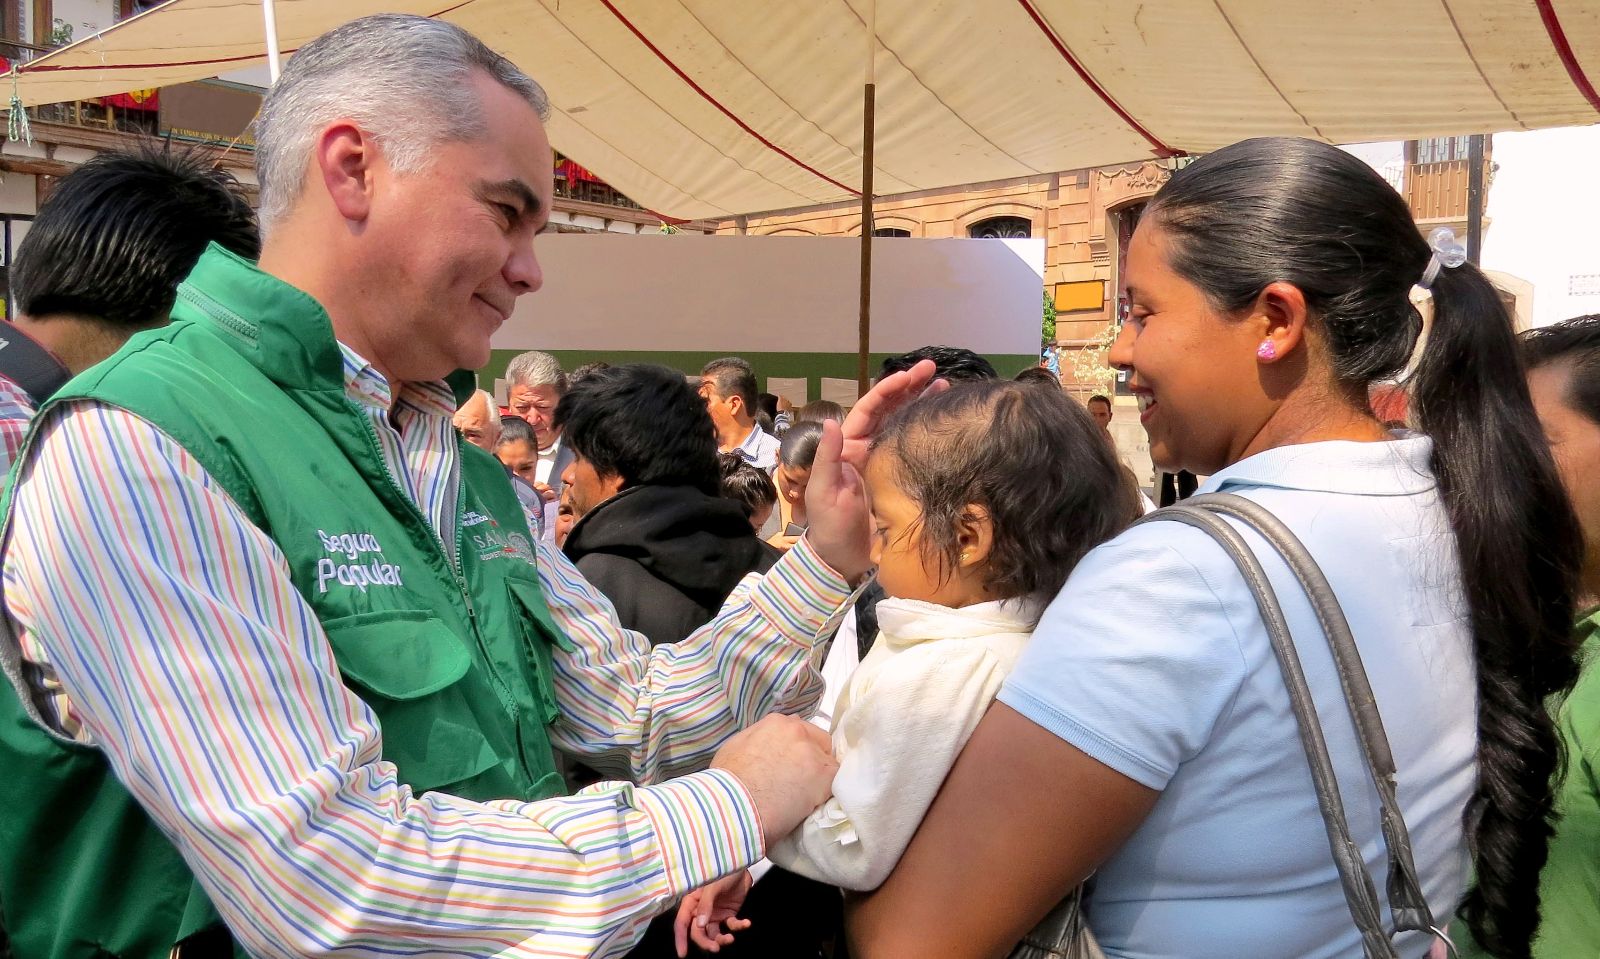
(185, 652)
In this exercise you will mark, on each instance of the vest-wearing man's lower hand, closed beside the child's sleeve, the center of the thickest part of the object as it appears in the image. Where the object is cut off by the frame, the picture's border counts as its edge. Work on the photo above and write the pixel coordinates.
(788, 768)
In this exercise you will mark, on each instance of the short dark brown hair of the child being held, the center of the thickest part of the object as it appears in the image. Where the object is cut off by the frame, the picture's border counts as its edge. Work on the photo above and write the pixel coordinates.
(1033, 459)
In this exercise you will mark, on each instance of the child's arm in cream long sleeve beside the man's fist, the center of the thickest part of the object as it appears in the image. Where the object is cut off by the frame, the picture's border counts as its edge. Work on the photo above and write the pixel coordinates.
(895, 745)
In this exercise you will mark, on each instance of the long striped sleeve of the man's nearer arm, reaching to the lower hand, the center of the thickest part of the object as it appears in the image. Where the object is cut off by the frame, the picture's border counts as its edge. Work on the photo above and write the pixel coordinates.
(207, 681)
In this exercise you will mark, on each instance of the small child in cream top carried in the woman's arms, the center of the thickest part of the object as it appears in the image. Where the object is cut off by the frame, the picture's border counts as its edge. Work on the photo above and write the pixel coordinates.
(983, 500)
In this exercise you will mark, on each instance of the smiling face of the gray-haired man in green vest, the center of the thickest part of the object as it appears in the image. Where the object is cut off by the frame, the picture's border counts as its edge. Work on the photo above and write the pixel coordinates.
(458, 241)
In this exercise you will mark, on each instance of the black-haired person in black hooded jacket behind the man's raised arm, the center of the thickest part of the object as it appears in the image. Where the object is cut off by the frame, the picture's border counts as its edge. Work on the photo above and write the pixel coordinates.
(652, 532)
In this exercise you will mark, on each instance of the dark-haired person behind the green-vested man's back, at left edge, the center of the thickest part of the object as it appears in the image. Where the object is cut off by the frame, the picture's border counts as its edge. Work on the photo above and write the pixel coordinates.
(103, 262)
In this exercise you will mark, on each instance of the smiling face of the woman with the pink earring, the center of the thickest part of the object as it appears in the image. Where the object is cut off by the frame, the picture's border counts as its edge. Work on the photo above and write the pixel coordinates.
(1193, 369)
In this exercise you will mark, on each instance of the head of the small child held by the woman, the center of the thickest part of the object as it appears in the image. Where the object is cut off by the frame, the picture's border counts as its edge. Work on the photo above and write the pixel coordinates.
(990, 491)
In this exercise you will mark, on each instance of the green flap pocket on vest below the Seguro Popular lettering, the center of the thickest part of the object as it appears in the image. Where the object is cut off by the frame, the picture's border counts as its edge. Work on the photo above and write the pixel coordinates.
(414, 673)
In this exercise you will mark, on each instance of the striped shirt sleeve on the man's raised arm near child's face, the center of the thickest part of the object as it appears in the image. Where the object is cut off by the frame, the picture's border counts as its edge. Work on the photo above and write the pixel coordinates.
(647, 713)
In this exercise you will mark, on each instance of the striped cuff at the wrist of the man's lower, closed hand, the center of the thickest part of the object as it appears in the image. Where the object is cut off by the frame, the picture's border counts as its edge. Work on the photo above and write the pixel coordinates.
(706, 827)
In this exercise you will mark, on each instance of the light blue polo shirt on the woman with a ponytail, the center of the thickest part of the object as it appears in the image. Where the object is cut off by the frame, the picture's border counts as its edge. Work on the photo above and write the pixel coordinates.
(1154, 662)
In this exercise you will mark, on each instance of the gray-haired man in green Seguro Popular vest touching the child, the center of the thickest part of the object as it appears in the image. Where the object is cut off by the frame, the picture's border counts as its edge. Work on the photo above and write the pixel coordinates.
(284, 668)
